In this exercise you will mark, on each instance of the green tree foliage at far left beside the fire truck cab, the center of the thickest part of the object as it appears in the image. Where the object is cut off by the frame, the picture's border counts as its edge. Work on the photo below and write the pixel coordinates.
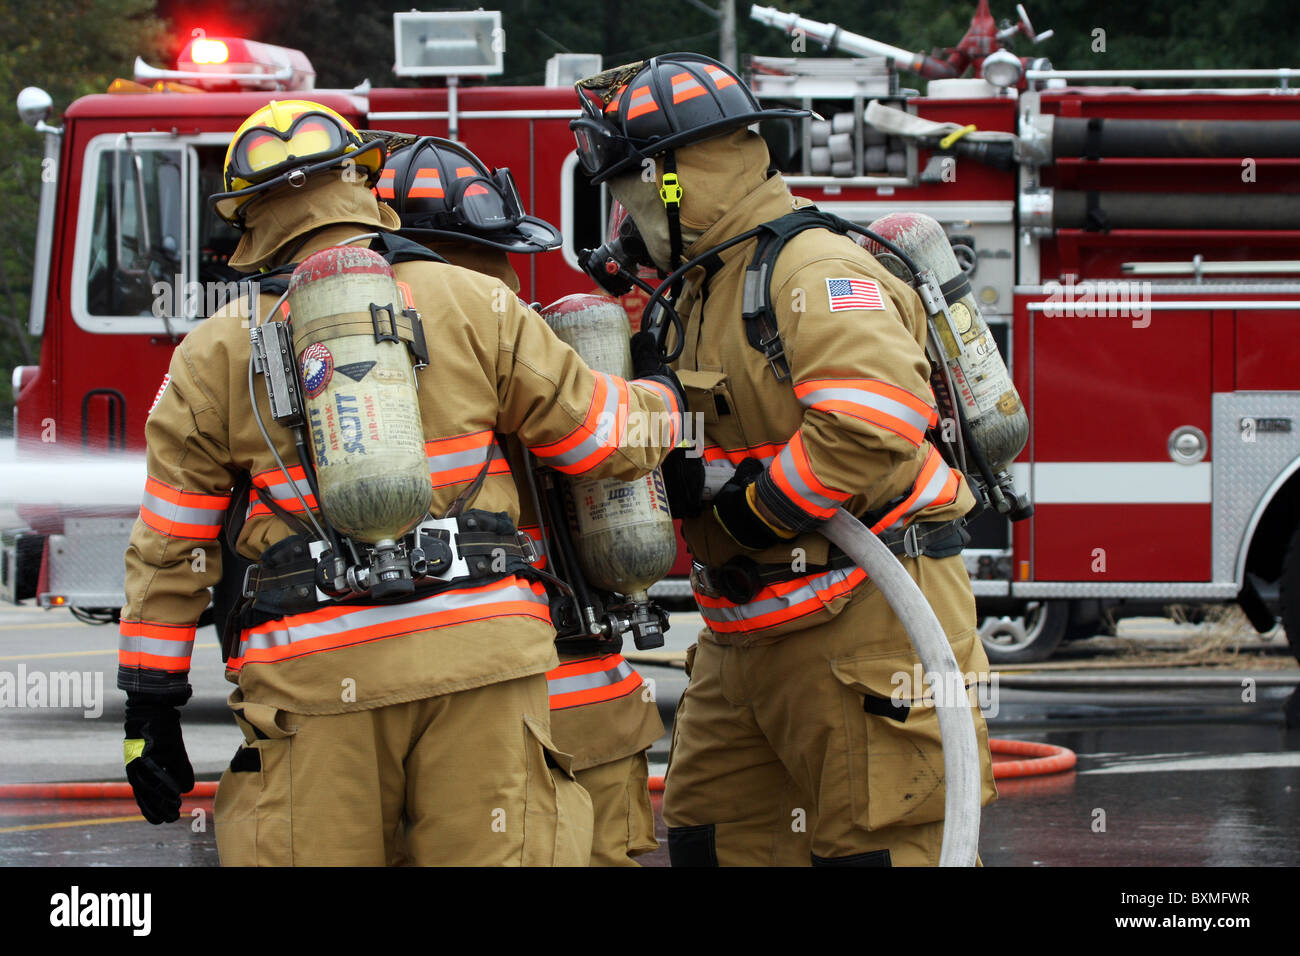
(70, 49)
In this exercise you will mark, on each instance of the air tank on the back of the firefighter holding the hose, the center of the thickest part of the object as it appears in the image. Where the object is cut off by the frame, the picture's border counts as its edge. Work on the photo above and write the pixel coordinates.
(995, 416)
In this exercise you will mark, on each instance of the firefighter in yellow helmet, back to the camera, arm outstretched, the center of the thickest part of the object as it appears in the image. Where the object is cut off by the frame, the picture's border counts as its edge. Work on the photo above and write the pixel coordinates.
(365, 719)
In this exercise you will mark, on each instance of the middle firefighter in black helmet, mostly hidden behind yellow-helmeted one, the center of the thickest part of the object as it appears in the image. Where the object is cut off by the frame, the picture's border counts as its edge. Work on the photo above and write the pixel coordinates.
(600, 712)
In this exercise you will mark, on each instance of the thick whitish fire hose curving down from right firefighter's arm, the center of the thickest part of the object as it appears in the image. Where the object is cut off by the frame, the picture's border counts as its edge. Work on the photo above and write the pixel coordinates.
(956, 726)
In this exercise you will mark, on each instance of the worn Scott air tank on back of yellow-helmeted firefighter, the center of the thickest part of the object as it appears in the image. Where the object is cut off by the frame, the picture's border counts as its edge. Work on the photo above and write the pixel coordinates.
(361, 395)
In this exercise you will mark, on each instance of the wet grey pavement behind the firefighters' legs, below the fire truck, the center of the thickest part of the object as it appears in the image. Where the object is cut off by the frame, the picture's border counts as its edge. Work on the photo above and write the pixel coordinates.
(1167, 776)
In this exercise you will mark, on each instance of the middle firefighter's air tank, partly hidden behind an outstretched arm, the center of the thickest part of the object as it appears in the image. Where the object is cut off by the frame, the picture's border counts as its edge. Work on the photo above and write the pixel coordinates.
(622, 530)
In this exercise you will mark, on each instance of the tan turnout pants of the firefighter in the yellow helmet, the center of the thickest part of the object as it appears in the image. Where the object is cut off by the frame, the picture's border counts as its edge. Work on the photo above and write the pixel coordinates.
(463, 780)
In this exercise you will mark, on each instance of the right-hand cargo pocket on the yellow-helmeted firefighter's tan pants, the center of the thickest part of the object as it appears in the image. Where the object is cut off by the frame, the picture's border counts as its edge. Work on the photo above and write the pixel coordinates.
(558, 819)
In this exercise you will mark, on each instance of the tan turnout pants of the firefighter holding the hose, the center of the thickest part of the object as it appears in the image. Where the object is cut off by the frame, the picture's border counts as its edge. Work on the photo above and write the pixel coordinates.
(818, 747)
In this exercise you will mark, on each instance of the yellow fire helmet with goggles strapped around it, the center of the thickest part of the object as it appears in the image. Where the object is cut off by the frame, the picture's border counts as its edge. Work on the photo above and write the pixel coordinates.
(285, 142)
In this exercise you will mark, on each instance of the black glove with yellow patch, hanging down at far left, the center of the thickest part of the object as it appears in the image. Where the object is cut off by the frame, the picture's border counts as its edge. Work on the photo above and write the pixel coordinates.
(158, 767)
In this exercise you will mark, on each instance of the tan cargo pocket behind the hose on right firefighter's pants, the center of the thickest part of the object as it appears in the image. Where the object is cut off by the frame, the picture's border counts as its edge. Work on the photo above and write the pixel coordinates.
(896, 758)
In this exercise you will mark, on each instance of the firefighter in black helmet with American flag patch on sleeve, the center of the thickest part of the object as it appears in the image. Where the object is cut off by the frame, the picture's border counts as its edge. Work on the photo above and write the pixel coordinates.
(787, 746)
